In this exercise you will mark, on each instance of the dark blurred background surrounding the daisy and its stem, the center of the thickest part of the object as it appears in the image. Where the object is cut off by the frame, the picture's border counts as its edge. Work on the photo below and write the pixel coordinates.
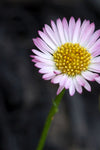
(25, 99)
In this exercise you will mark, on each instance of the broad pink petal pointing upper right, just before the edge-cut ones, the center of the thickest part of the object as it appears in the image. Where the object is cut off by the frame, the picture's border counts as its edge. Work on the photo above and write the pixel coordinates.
(87, 34)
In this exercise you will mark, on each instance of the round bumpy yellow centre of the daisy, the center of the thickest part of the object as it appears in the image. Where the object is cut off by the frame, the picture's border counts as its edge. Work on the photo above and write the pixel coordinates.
(71, 59)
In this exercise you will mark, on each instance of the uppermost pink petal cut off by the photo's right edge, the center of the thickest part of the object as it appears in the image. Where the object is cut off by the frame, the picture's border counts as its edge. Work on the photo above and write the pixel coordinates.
(93, 39)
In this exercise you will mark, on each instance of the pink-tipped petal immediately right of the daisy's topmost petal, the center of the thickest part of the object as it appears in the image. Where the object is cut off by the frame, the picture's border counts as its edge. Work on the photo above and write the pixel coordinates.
(76, 31)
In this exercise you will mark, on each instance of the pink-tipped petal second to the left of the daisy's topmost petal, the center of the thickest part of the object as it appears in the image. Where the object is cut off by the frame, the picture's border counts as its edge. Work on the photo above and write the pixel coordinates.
(60, 31)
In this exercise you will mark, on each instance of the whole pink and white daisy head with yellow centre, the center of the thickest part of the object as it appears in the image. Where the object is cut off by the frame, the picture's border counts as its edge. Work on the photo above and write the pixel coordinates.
(68, 54)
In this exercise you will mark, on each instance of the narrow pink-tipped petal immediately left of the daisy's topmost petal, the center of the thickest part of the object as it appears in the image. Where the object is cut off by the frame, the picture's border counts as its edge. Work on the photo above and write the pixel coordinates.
(65, 28)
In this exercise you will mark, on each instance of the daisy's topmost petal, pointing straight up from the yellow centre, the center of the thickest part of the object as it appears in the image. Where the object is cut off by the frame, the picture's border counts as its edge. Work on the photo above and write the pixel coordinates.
(71, 28)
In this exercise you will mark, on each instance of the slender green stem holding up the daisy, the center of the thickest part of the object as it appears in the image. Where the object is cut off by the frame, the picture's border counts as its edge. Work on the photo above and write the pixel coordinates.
(53, 111)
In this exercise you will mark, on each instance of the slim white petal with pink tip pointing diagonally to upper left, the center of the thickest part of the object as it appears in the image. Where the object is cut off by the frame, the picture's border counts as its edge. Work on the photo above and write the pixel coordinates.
(47, 40)
